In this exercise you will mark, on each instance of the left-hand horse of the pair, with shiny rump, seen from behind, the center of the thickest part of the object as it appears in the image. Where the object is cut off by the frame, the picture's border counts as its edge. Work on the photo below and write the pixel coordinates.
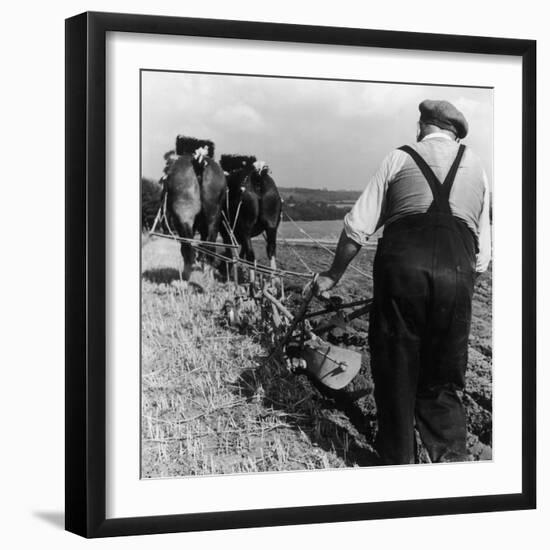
(196, 187)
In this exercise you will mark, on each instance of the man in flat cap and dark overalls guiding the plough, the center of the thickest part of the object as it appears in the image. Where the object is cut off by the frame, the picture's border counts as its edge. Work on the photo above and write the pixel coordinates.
(433, 200)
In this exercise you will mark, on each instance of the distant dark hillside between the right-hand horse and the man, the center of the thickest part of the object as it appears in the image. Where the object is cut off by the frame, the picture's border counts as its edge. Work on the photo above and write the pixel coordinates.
(317, 204)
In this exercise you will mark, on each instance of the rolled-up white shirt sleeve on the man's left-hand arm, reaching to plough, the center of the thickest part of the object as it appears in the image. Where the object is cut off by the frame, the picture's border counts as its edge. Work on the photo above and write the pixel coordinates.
(366, 215)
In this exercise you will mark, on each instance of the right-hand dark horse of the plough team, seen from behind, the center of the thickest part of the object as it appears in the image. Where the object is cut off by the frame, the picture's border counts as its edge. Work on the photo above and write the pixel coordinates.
(253, 204)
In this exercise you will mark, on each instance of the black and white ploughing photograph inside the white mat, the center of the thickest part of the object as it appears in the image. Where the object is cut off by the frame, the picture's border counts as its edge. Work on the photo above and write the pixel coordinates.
(316, 274)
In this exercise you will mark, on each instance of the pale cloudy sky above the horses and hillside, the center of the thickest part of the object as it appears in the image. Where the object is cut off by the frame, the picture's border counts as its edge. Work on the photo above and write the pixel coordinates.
(312, 133)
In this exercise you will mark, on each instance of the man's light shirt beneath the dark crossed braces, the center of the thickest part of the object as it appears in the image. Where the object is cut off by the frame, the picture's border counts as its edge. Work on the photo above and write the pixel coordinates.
(411, 194)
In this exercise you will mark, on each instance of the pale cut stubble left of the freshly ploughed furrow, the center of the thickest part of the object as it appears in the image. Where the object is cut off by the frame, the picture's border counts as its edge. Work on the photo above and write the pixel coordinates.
(210, 403)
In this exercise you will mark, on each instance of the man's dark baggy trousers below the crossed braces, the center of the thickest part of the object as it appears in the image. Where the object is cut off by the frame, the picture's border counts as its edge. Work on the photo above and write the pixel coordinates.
(420, 322)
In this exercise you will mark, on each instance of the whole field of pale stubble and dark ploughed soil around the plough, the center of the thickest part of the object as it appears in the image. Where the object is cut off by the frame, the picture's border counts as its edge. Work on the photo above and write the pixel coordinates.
(211, 405)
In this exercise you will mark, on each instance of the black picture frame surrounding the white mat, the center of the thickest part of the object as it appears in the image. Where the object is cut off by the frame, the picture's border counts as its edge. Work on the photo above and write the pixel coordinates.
(86, 269)
